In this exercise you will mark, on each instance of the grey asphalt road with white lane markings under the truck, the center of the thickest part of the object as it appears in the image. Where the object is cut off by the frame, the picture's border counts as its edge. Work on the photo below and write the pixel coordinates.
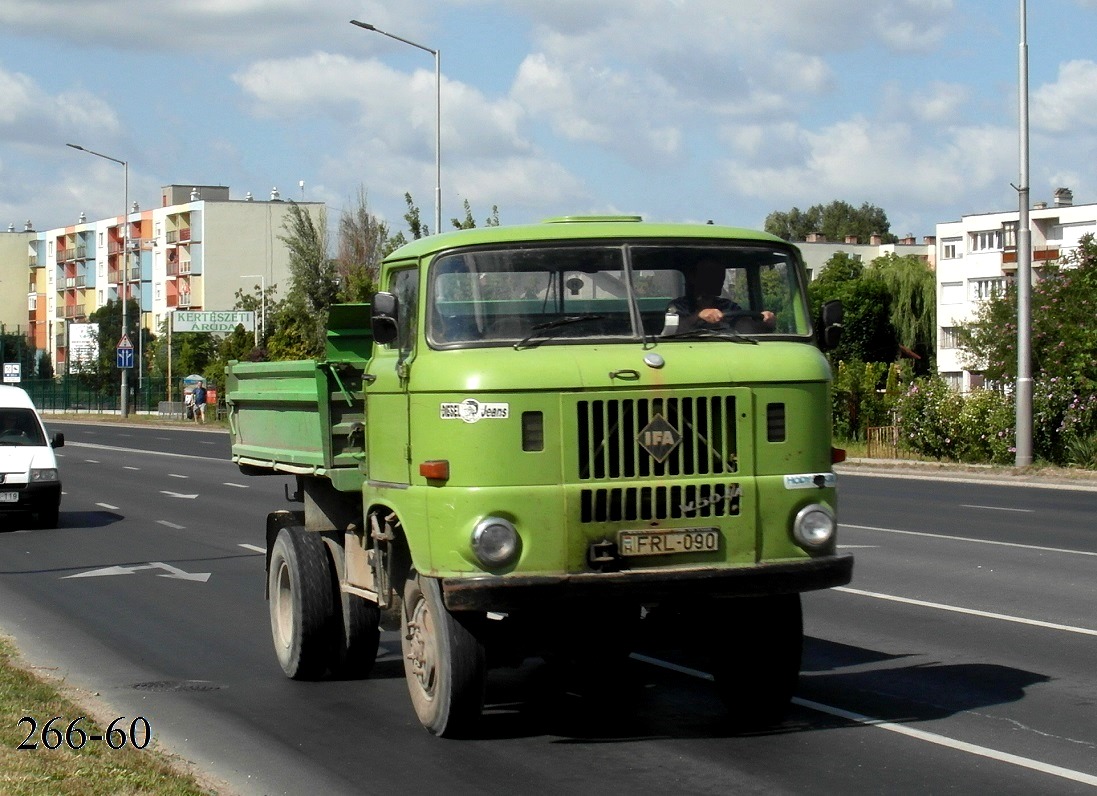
(960, 661)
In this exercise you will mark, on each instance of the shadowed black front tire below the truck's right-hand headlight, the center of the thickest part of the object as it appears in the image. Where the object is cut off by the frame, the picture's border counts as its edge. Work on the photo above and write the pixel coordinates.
(757, 677)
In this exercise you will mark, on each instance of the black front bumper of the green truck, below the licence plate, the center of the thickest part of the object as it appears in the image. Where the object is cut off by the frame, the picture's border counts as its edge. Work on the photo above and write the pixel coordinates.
(647, 587)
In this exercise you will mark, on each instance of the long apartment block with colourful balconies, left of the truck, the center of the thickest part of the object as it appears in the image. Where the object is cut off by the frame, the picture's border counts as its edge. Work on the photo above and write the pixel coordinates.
(194, 252)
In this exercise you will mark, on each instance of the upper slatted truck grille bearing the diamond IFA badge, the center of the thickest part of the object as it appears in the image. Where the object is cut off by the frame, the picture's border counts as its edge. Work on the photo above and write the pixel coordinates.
(655, 438)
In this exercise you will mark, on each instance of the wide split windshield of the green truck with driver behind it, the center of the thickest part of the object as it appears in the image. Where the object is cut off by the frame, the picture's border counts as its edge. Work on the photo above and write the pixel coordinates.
(604, 293)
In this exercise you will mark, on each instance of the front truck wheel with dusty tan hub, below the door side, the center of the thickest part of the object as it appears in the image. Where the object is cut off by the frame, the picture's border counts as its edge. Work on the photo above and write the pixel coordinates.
(445, 663)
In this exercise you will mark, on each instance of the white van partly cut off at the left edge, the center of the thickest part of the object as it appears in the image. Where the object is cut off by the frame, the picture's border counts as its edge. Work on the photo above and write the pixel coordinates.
(29, 479)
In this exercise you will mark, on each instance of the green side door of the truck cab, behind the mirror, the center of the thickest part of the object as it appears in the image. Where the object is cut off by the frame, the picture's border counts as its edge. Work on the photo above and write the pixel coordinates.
(387, 400)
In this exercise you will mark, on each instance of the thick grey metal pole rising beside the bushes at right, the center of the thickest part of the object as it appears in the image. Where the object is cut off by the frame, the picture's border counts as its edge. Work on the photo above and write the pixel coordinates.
(1023, 425)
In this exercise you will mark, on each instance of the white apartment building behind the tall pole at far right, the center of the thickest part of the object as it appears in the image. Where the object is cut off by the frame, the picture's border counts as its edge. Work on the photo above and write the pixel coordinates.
(978, 256)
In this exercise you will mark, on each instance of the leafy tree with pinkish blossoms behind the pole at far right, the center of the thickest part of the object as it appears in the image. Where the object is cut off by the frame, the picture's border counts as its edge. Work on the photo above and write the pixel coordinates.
(1065, 337)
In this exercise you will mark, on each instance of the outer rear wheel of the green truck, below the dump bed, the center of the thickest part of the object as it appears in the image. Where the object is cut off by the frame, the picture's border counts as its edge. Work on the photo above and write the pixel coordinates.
(304, 621)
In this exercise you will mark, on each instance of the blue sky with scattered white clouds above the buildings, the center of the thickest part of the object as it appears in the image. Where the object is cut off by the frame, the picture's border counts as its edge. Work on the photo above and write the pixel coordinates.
(672, 110)
